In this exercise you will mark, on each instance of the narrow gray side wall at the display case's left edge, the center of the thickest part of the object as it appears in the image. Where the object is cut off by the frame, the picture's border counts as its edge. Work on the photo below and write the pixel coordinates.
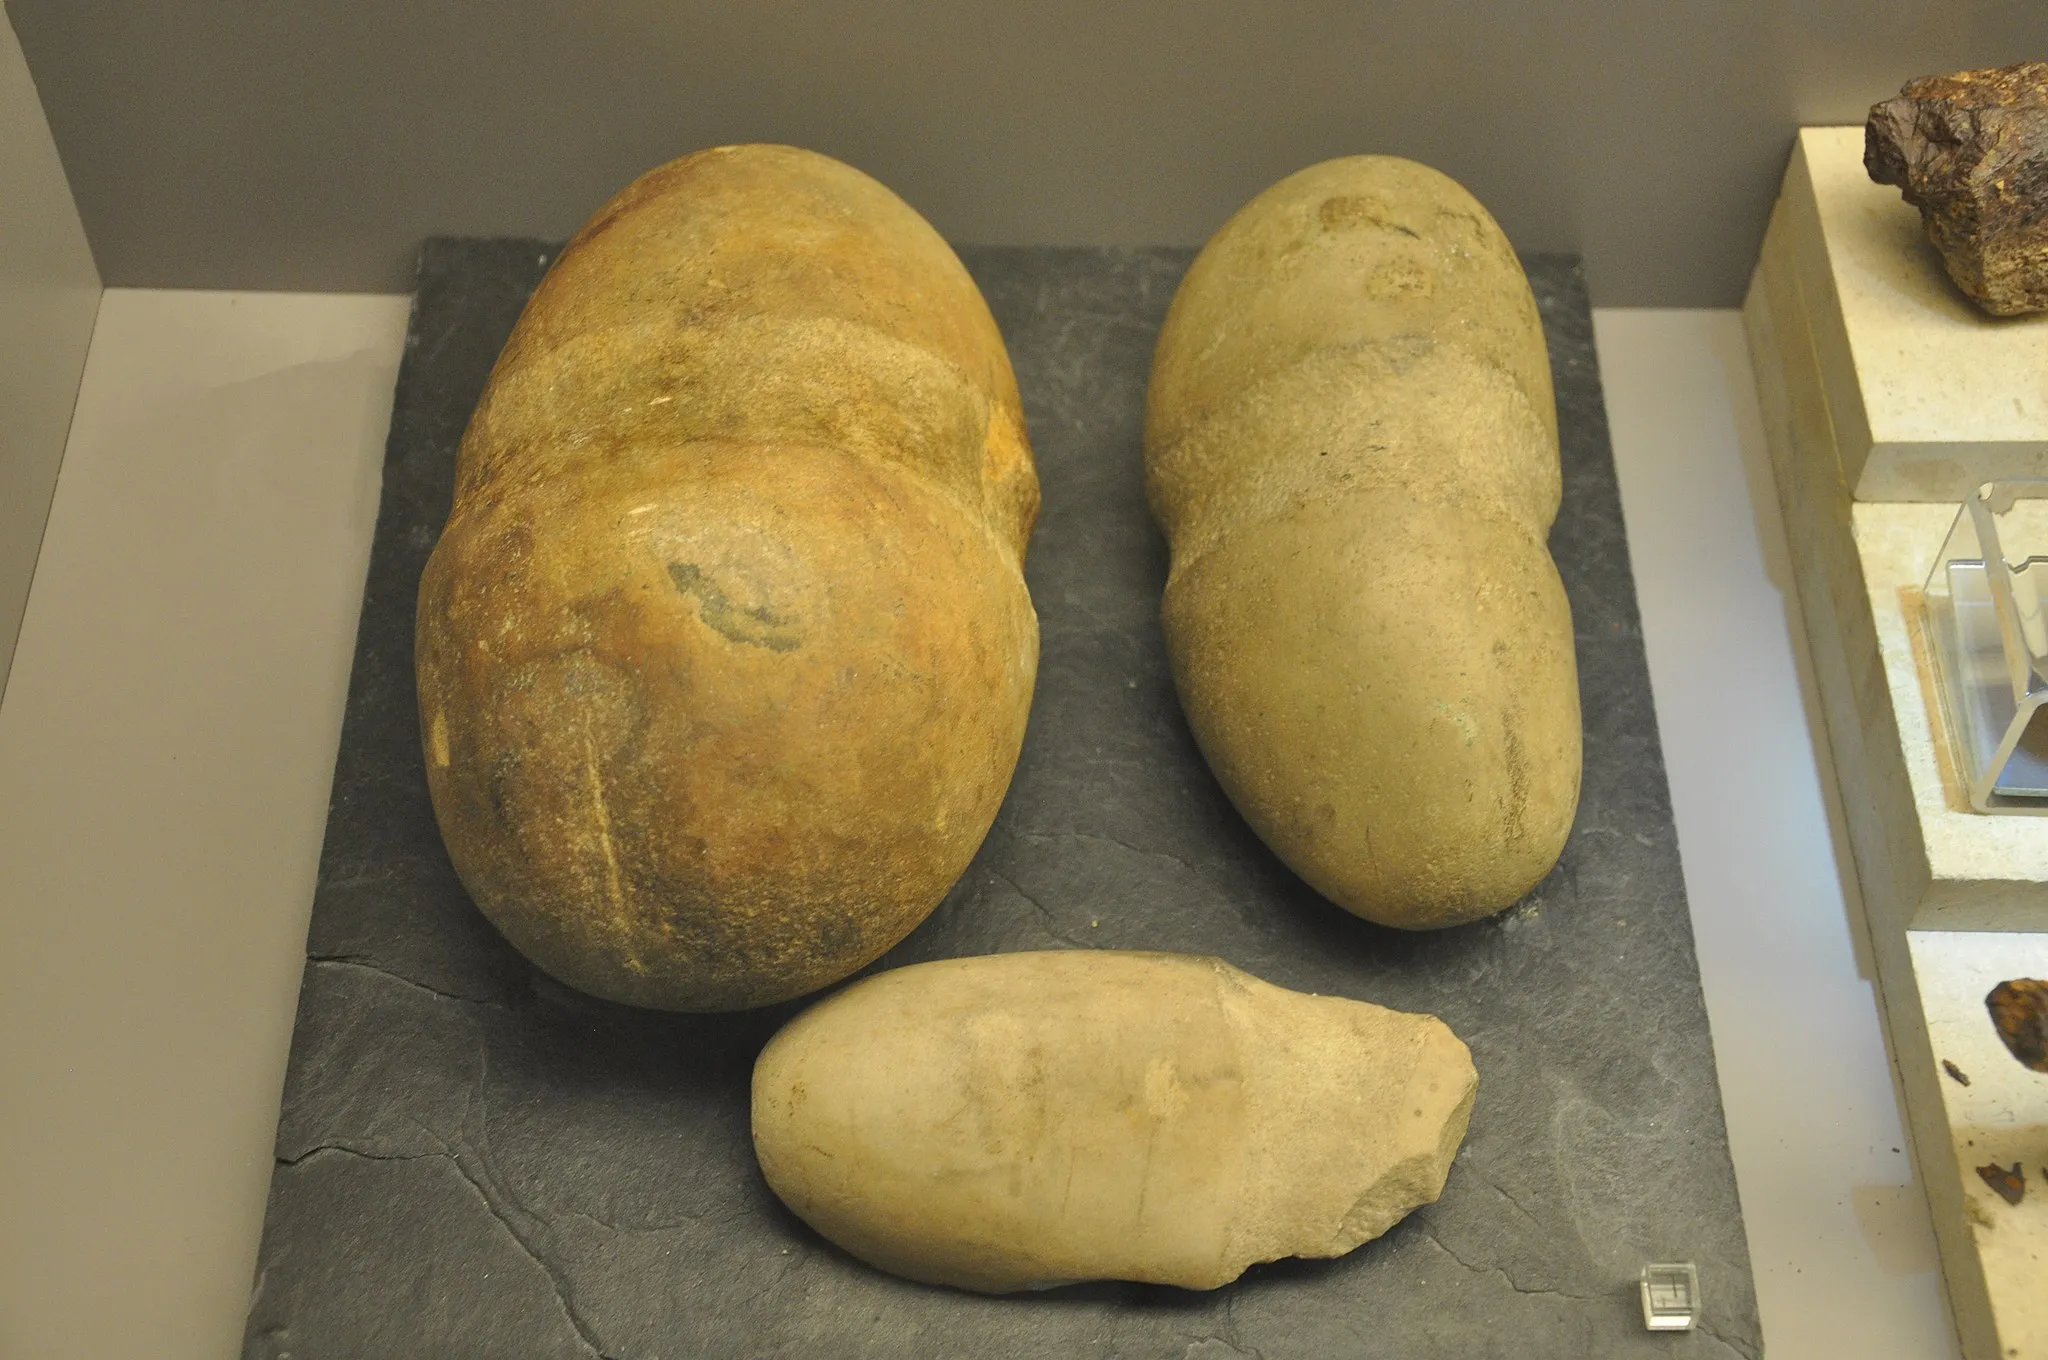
(48, 300)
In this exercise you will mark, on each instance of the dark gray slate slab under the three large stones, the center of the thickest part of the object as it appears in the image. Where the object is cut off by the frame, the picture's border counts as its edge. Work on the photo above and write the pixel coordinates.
(478, 1162)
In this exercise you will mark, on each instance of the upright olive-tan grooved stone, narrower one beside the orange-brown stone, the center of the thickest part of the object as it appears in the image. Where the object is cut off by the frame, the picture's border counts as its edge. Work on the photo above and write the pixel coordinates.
(1353, 450)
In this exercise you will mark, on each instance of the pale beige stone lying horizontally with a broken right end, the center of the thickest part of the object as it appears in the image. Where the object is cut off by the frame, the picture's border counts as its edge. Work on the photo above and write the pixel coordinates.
(1025, 1121)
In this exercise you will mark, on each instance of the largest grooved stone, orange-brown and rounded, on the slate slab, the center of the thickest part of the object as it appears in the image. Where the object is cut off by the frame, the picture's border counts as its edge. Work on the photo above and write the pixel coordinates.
(726, 650)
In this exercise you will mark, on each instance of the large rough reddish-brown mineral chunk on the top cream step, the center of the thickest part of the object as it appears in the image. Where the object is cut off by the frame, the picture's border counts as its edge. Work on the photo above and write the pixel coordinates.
(1971, 153)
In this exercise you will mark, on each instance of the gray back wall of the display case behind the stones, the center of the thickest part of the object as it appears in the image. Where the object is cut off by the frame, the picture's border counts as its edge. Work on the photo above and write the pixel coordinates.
(310, 146)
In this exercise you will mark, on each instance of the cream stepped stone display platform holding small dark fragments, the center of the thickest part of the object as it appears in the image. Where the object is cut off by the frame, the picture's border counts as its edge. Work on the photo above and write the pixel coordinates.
(1850, 314)
